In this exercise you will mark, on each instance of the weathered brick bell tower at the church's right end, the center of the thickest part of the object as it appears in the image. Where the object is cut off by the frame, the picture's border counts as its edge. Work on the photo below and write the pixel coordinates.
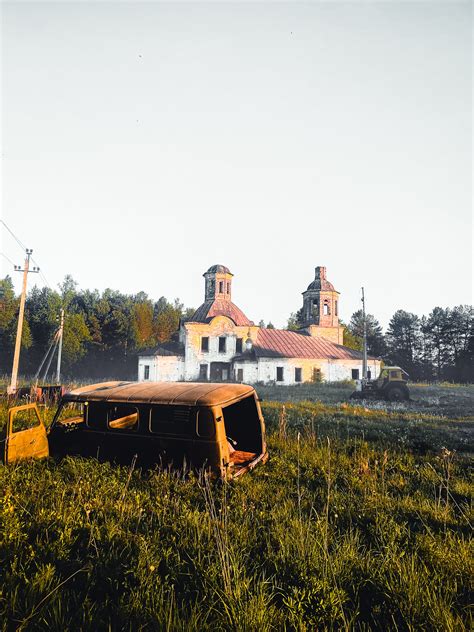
(321, 308)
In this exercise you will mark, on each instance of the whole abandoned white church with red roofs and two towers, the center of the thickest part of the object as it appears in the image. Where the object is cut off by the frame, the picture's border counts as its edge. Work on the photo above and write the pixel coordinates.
(219, 343)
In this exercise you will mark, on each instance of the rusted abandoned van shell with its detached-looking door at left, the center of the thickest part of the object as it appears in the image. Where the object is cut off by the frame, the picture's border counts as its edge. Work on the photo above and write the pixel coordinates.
(216, 426)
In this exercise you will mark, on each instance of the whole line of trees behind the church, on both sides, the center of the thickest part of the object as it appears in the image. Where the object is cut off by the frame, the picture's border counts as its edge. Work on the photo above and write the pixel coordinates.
(104, 332)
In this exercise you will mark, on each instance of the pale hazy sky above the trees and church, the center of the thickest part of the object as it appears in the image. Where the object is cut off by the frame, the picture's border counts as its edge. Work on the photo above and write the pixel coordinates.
(144, 142)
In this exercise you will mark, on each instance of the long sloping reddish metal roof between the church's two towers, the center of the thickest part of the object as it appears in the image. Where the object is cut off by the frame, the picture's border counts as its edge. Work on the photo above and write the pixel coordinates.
(281, 343)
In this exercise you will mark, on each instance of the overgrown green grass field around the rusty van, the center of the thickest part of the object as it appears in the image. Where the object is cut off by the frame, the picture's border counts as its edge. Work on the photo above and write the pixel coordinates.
(361, 519)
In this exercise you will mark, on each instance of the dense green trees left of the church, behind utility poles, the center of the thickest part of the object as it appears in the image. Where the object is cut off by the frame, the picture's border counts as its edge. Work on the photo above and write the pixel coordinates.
(103, 332)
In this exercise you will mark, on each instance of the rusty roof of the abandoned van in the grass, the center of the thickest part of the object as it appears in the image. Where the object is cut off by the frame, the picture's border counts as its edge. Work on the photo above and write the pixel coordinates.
(184, 393)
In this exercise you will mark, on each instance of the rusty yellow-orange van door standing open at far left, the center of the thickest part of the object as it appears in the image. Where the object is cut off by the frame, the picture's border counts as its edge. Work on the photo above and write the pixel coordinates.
(26, 434)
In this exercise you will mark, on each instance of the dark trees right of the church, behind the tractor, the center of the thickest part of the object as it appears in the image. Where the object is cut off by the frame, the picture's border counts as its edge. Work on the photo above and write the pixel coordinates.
(436, 347)
